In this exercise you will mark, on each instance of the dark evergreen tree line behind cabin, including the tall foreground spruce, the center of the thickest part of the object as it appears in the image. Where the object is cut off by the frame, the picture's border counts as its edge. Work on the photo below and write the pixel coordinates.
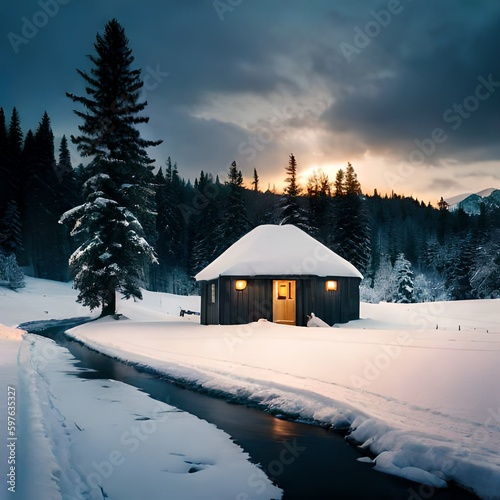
(120, 225)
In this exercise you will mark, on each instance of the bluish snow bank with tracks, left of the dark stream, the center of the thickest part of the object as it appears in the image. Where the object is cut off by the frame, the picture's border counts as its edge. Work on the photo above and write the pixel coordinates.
(94, 439)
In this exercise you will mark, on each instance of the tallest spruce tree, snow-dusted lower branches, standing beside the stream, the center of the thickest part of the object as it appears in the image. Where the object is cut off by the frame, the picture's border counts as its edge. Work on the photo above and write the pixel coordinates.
(119, 191)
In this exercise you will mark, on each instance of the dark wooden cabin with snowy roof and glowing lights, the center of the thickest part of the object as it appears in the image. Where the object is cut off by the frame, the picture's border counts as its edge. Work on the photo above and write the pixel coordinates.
(282, 274)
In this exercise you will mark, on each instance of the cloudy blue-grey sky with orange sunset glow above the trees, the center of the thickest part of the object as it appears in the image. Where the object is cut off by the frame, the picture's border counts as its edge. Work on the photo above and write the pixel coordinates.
(408, 91)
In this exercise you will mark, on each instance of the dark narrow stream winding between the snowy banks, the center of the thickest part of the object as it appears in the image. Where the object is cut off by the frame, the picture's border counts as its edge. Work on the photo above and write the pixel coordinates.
(307, 462)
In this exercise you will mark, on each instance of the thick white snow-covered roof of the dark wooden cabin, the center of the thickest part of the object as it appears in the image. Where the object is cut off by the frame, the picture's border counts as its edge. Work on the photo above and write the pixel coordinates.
(271, 250)
